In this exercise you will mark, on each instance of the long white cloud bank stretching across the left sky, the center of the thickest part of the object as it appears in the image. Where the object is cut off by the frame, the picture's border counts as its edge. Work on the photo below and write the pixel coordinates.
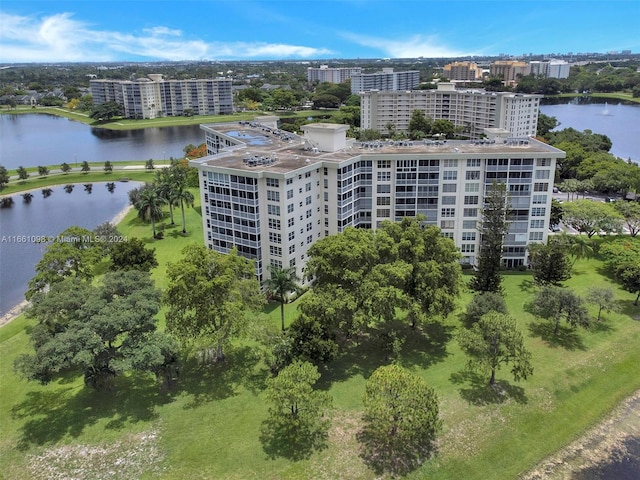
(61, 38)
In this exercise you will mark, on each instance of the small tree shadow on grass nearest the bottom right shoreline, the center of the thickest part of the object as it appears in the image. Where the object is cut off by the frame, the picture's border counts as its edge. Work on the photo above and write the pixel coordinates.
(479, 392)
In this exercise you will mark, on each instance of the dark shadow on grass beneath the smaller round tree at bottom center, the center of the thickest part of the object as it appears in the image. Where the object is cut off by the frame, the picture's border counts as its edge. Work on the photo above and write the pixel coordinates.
(293, 441)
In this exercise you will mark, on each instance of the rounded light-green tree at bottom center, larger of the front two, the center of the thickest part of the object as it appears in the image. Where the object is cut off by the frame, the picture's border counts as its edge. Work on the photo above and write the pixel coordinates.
(401, 420)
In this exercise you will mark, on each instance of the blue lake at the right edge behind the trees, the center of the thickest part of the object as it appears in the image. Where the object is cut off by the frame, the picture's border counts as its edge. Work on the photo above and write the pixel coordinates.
(619, 121)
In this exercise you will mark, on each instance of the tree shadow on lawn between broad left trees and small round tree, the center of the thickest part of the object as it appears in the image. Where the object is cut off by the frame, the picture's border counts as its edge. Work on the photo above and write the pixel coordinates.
(207, 381)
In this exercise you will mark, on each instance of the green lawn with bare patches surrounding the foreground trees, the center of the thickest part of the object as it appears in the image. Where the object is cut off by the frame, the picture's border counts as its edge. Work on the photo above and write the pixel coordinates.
(208, 427)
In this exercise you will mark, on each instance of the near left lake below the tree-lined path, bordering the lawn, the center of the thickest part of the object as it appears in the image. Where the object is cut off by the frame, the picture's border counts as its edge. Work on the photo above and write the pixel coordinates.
(23, 223)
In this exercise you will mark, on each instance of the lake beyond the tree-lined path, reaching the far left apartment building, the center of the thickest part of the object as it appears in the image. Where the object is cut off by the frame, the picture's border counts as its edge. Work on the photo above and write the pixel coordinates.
(31, 140)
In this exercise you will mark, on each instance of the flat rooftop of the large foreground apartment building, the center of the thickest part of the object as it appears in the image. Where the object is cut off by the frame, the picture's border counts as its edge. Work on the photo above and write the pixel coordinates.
(265, 149)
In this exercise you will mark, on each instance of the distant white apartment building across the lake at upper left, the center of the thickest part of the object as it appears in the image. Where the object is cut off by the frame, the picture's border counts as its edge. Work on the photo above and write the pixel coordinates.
(155, 97)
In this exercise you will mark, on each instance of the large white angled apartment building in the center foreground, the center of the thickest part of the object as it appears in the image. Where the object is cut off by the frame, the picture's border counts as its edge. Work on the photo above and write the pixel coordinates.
(271, 194)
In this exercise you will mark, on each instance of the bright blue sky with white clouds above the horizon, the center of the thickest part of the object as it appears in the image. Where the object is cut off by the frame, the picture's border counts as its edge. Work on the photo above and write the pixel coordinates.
(154, 30)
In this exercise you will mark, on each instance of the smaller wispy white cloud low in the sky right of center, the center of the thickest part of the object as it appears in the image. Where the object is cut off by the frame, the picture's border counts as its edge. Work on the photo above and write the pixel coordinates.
(412, 47)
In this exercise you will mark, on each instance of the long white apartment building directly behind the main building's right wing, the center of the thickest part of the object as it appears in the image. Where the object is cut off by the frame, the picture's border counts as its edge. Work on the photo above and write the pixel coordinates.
(473, 110)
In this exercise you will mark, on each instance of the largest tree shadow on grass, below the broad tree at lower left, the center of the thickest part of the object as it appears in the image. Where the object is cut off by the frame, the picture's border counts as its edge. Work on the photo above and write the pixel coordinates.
(54, 413)
